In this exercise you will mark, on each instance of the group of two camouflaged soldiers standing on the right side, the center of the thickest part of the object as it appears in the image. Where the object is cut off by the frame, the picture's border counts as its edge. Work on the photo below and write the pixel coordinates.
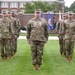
(66, 33)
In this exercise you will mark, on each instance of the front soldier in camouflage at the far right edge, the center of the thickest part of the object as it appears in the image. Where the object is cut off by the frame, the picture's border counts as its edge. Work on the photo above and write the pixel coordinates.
(69, 36)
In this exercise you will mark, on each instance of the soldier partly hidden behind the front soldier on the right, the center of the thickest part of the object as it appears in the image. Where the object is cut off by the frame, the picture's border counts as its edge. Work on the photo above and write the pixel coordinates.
(60, 32)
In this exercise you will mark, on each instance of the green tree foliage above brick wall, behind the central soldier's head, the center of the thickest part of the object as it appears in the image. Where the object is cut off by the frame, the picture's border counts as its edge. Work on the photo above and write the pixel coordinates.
(44, 6)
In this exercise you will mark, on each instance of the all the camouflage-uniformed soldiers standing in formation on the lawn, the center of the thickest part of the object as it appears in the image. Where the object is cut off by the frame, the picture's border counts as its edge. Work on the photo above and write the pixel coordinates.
(37, 36)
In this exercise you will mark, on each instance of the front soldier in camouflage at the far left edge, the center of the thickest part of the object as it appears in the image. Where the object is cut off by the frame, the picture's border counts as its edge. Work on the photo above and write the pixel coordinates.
(5, 37)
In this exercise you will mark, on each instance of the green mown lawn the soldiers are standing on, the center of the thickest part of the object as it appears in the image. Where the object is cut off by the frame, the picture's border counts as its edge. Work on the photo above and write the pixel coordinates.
(53, 63)
